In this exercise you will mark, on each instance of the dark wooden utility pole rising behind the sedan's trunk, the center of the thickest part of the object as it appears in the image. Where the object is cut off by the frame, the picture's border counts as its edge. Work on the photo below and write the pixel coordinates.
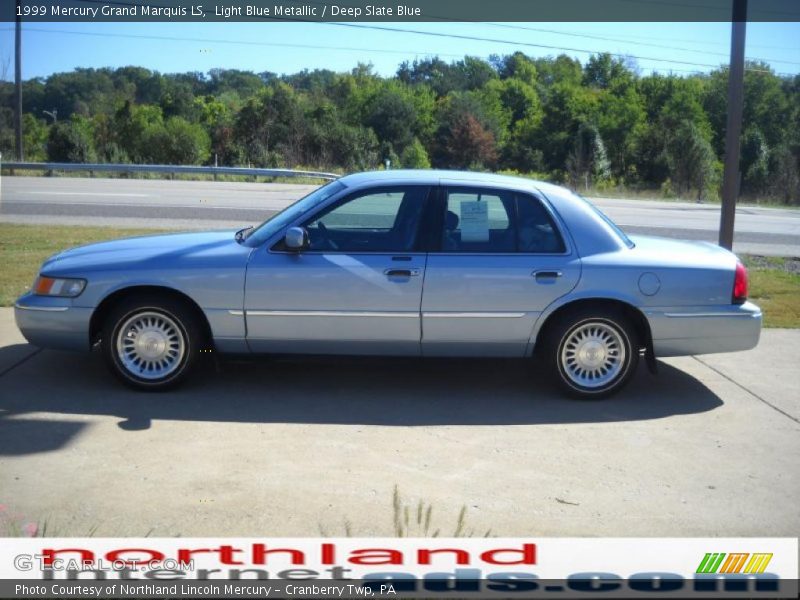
(730, 180)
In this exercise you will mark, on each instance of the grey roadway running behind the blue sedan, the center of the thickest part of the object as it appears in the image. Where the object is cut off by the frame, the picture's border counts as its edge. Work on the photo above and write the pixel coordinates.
(207, 204)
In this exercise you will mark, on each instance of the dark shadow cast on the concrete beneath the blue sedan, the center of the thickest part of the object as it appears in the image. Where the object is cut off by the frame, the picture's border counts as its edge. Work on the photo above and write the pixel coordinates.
(358, 391)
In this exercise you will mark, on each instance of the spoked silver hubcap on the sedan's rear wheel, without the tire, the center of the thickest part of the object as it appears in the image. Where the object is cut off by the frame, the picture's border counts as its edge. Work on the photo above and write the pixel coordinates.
(593, 355)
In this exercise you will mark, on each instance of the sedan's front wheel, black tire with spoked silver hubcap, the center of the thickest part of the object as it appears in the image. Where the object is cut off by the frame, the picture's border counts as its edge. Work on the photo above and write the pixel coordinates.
(173, 324)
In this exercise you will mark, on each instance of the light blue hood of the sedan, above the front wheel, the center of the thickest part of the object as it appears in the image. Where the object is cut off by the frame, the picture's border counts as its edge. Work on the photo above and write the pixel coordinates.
(163, 249)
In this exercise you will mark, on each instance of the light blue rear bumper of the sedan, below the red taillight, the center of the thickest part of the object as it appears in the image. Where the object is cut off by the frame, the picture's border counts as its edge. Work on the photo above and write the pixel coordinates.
(705, 330)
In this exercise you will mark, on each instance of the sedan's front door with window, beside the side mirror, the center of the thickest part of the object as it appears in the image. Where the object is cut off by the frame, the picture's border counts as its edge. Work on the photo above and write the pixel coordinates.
(356, 290)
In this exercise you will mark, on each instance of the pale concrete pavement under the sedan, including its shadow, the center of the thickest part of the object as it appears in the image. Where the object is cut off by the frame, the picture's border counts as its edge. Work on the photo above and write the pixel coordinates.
(709, 447)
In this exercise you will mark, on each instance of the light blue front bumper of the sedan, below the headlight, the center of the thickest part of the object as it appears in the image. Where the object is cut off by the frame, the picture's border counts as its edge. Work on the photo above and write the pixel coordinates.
(53, 322)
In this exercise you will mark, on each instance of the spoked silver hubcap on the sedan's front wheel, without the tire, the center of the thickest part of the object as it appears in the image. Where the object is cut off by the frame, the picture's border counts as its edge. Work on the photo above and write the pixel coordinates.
(150, 345)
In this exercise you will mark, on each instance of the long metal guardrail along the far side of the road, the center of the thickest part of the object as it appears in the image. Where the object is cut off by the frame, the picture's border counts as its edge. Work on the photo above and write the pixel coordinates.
(166, 169)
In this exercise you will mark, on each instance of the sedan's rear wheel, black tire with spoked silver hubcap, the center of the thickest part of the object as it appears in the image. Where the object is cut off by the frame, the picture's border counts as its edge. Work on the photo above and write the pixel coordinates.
(587, 369)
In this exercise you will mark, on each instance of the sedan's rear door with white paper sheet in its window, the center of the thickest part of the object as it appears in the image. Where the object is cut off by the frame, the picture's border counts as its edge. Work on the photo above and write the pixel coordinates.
(501, 259)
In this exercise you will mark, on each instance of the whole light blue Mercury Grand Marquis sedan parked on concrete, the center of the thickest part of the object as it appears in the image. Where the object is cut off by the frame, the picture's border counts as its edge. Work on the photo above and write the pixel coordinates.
(414, 263)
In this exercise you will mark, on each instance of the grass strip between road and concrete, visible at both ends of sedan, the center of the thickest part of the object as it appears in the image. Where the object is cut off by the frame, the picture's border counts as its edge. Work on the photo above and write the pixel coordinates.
(774, 282)
